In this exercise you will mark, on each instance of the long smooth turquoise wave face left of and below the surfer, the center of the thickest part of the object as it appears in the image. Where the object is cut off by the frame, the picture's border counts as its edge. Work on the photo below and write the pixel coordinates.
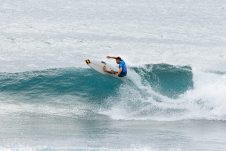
(79, 82)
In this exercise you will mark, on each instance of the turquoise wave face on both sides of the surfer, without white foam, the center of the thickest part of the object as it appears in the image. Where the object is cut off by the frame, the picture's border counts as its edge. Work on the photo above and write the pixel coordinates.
(165, 79)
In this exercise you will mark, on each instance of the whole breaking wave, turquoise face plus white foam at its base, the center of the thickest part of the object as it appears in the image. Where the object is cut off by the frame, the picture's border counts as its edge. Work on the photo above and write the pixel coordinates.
(150, 92)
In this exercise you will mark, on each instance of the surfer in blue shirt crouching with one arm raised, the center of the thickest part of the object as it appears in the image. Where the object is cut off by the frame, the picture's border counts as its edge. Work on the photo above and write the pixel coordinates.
(122, 72)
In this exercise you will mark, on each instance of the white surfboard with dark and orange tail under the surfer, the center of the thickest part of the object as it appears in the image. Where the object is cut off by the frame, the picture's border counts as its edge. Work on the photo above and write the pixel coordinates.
(99, 67)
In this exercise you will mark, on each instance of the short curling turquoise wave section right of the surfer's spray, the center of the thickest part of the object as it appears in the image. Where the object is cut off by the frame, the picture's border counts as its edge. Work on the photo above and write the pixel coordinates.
(167, 79)
